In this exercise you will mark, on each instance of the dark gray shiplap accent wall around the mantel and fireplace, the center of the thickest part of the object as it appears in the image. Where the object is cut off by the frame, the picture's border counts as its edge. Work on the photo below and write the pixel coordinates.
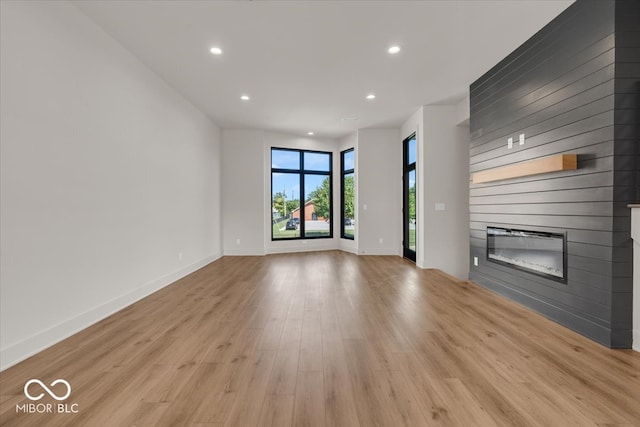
(561, 88)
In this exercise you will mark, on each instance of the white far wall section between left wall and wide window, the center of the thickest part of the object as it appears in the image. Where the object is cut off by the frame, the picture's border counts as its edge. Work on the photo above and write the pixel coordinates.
(243, 181)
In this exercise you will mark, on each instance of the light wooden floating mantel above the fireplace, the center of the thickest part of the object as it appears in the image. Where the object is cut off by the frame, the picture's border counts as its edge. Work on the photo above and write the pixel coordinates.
(561, 162)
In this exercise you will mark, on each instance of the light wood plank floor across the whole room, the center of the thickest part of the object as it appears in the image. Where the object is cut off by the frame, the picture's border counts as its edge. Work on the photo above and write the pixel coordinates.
(329, 339)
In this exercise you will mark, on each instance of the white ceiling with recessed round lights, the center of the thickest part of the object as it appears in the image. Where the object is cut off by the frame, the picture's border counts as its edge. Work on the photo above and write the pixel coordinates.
(307, 65)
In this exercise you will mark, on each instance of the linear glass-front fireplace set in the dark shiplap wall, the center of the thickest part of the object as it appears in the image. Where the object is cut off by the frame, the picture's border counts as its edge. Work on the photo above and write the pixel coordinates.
(544, 254)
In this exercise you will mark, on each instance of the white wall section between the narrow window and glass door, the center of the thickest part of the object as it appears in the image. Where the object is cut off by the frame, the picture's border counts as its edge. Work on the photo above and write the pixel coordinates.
(379, 218)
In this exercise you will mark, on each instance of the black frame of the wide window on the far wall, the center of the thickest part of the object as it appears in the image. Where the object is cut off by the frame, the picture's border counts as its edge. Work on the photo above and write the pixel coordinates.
(302, 172)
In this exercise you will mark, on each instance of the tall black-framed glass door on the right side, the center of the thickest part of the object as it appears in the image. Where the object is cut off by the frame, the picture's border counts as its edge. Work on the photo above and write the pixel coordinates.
(409, 197)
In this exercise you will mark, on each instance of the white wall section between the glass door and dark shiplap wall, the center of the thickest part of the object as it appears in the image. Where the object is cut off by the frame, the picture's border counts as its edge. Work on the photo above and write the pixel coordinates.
(442, 174)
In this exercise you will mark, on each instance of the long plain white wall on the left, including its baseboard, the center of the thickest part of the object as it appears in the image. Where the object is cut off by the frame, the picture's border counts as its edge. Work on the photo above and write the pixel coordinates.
(107, 176)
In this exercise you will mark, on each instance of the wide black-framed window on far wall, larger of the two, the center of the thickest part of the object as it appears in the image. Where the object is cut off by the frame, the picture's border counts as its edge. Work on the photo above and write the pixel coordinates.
(300, 175)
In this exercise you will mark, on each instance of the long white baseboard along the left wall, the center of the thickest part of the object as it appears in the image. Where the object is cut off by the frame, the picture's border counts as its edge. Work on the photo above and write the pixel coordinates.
(29, 346)
